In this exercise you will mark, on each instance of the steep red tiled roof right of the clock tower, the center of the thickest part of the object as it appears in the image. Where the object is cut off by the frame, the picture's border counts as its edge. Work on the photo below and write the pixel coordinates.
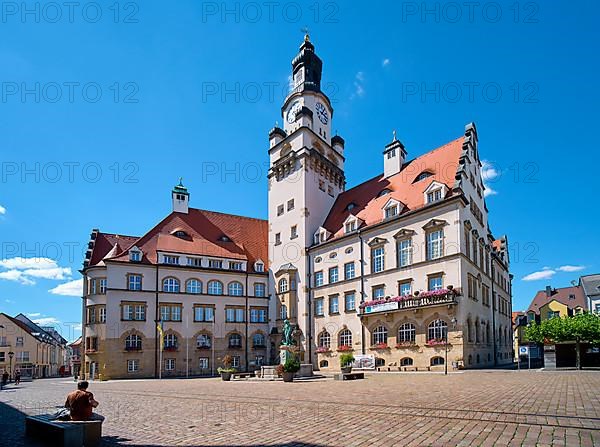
(441, 162)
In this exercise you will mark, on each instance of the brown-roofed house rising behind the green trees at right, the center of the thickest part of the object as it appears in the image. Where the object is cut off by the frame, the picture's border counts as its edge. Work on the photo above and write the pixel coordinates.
(549, 303)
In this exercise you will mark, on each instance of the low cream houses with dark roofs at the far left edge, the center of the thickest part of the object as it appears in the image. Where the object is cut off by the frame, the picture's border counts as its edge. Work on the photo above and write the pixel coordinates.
(36, 352)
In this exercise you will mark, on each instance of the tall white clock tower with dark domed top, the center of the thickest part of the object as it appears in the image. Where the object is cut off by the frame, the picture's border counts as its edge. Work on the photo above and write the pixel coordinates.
(306, 174)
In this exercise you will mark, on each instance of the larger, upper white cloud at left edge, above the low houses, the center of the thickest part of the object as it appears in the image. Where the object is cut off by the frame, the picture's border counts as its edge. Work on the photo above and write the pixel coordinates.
(24, 270)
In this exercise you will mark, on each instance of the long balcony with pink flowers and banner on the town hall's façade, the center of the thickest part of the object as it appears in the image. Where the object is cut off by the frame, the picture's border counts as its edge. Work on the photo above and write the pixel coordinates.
(424, 299)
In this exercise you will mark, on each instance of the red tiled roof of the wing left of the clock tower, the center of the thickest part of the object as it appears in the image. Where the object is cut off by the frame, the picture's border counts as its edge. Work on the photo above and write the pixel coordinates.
(247, 237)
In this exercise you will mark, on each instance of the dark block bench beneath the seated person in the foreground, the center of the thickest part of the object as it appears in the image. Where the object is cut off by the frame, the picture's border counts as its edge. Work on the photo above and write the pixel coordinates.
(64, 433)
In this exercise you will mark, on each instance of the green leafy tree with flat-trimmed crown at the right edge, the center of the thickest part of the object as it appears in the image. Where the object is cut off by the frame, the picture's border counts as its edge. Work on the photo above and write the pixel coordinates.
(582, 328)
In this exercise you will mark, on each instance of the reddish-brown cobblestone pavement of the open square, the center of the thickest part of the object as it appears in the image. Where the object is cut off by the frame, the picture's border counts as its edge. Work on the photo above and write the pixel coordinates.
(475, 408)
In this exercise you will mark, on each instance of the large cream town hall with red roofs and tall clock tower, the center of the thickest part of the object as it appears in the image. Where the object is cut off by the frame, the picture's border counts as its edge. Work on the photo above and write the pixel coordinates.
(404, 260)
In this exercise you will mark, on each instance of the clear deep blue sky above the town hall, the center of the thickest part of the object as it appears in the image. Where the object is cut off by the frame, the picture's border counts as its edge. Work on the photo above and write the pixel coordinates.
(103, 109)
